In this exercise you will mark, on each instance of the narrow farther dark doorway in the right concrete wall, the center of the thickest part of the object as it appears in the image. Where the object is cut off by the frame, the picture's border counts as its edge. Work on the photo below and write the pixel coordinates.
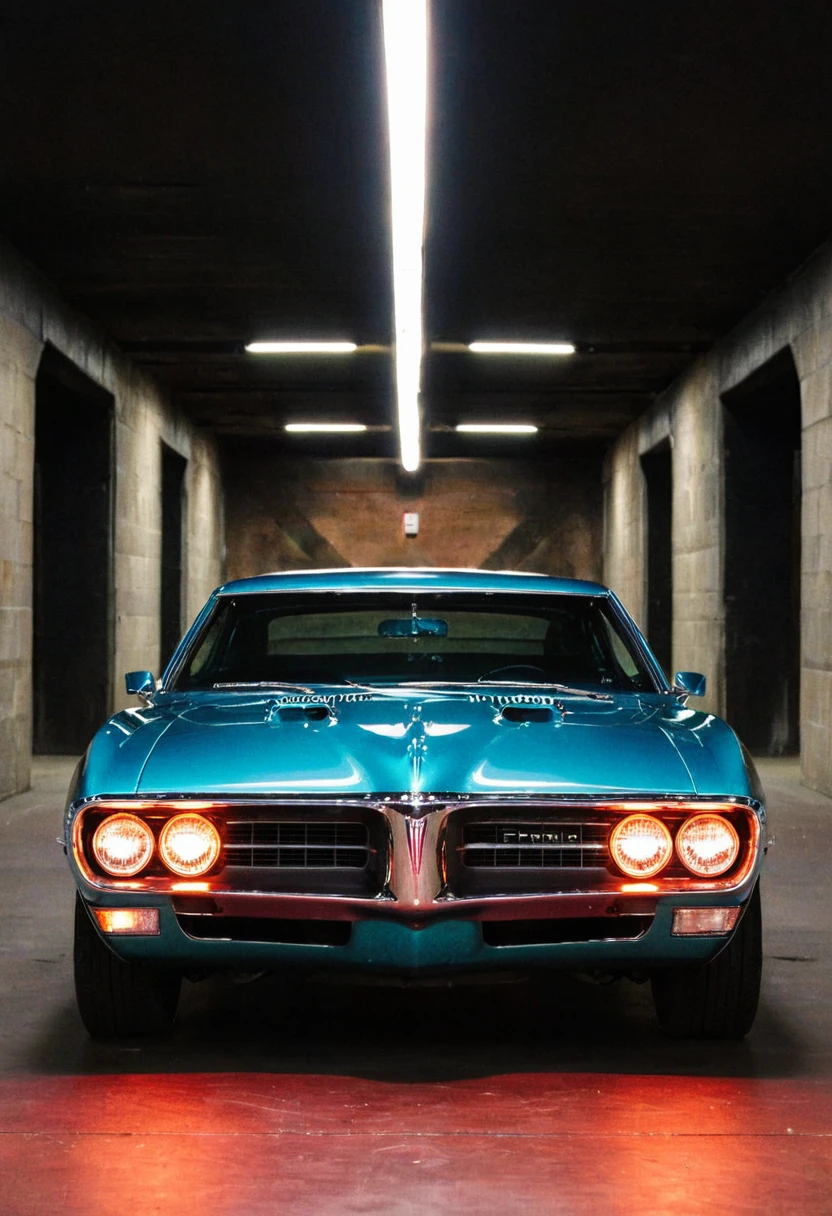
(657, 468)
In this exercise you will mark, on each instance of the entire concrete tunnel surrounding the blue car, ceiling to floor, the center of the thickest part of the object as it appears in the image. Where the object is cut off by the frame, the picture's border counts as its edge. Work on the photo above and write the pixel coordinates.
(648, 187)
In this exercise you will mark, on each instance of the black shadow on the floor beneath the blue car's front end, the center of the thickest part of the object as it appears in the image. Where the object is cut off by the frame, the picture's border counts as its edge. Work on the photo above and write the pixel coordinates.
(284, 1024)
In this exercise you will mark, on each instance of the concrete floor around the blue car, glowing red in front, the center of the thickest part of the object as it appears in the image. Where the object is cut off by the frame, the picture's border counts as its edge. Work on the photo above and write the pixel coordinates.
(552, 1097)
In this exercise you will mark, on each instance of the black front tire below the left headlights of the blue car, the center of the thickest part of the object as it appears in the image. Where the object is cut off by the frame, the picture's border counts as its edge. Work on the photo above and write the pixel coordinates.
(120, 1000)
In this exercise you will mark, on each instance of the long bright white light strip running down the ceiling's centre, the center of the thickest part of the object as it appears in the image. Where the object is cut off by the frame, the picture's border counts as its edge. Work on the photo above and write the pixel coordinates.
(406, 58)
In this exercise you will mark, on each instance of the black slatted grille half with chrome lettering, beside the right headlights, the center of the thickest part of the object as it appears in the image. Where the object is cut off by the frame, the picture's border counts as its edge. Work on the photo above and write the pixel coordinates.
(555, 846)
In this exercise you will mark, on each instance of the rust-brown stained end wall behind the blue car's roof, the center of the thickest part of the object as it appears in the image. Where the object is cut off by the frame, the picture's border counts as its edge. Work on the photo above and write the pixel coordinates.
(297, 514)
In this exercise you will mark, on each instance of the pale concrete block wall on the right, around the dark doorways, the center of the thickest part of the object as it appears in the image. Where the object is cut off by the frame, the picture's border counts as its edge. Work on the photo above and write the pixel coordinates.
(690, 414)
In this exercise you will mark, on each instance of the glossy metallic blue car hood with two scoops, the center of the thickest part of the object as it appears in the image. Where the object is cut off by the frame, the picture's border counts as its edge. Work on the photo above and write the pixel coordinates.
(402, 742)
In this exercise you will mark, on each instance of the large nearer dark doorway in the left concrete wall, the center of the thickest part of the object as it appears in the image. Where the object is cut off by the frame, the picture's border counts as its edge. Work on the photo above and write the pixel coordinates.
(74, 547)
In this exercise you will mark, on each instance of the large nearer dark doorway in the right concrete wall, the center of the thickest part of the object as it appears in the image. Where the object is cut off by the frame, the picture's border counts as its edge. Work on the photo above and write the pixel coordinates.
(763, 558)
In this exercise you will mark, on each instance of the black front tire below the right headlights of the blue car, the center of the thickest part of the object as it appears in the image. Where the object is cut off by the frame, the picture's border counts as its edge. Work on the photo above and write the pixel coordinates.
(717, 1000)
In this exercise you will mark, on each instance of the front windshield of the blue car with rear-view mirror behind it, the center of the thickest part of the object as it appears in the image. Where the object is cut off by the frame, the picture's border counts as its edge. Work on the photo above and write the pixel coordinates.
(398, 638)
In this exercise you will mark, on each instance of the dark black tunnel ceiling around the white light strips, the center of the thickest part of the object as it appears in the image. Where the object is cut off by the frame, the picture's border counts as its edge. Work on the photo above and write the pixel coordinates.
(631, 177)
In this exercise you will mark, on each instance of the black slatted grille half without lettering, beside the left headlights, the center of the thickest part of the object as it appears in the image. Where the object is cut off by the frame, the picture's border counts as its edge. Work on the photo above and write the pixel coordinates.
(297, 846)
